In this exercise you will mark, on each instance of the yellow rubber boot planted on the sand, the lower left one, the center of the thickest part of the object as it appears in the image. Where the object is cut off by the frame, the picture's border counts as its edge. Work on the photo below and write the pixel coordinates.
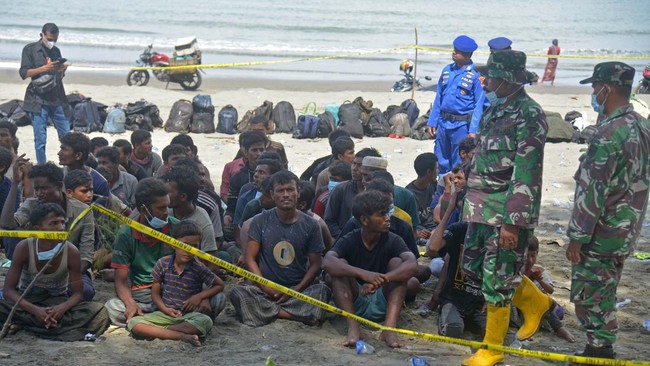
(496, 328)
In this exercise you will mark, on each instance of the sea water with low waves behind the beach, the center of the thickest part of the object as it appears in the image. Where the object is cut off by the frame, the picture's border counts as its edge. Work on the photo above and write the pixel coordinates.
(113, 33)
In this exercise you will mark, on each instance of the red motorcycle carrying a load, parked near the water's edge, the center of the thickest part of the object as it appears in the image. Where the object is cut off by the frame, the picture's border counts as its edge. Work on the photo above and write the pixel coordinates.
(188, 79)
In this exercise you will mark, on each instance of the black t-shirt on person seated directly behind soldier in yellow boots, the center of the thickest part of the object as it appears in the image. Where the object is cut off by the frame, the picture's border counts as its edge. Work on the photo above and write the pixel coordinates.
(457, 290)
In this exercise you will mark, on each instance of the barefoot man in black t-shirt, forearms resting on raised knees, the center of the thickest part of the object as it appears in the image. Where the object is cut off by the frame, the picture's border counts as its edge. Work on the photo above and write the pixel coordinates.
(370, 268)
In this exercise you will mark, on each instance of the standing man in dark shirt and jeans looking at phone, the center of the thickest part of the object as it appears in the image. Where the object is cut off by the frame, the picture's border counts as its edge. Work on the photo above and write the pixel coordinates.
(45, 97)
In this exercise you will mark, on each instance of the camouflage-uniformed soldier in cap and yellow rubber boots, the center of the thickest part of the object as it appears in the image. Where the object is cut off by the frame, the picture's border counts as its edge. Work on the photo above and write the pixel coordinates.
(503, 202)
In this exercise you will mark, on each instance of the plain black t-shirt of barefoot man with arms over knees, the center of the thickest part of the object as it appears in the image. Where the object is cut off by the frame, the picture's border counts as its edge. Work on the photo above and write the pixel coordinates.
(350, 247)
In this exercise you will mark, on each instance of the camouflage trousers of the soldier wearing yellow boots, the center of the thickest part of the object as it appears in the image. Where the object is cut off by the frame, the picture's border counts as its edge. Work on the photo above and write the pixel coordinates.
(497, 270)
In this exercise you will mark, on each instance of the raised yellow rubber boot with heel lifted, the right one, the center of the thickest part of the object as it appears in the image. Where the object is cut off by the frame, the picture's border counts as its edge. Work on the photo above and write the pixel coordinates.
(533, 303)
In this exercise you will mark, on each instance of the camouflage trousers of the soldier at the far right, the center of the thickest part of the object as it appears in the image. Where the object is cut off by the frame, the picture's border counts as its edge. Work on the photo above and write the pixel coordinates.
(593, 291)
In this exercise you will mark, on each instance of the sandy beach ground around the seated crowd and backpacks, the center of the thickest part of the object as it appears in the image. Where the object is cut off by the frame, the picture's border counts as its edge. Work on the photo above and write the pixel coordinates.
(290, 343)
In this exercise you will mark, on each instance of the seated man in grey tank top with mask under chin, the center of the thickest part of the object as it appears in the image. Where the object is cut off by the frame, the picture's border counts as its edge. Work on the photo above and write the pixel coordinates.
(47, 311)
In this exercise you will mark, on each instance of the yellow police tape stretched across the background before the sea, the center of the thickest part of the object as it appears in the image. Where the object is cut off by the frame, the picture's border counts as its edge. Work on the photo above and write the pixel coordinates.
(356, 54)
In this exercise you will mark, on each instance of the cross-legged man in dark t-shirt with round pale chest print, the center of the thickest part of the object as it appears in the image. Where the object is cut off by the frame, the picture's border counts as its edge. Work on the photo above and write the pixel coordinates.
(284, 246)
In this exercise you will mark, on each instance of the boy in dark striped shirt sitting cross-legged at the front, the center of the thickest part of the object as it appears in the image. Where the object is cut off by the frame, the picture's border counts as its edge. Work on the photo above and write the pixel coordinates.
(177, 293)
